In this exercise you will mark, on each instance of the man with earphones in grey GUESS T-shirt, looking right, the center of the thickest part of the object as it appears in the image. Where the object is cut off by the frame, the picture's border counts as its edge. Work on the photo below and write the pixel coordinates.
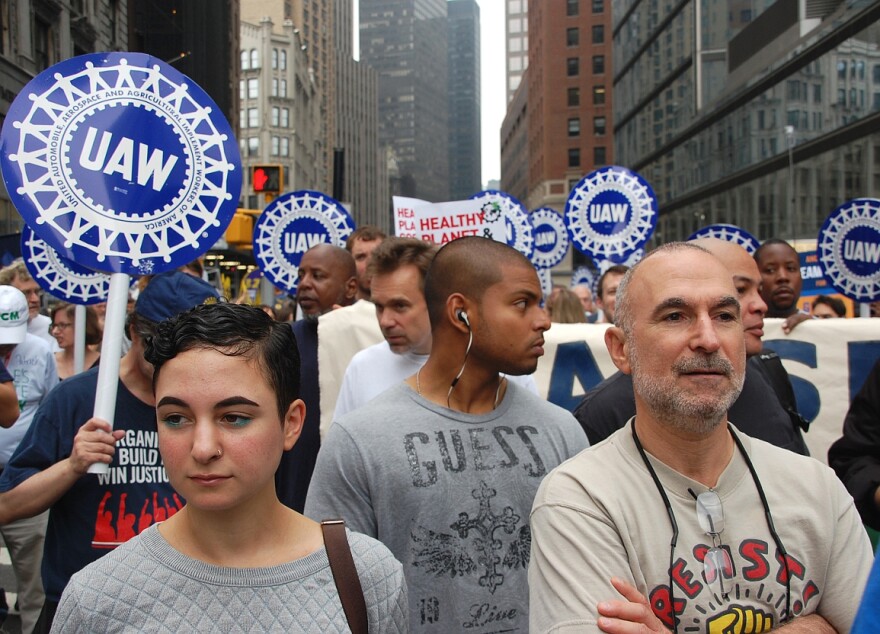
(443, 467)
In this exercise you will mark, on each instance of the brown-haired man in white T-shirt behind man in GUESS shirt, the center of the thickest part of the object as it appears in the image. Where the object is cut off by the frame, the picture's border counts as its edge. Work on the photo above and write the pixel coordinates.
(397, 269)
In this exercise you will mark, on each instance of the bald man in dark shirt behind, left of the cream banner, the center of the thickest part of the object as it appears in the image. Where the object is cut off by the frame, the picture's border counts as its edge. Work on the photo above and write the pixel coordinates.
(327, 280)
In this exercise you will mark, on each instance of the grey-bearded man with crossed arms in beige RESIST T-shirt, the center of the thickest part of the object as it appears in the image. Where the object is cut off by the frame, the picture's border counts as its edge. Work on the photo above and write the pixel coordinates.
(680, 522)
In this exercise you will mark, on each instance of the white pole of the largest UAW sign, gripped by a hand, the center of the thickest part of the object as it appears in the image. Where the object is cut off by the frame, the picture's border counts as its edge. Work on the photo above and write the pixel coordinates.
(111, 350)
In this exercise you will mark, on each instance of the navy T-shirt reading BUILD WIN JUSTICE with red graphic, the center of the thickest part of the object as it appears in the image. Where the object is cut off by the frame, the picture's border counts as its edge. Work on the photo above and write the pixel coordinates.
(99, 512)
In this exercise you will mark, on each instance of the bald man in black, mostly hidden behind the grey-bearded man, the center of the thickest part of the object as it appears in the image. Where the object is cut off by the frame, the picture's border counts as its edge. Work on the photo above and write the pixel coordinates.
(766, 407)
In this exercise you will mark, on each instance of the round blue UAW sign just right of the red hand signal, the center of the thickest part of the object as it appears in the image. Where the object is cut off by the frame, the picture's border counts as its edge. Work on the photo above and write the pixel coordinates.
(290, 226)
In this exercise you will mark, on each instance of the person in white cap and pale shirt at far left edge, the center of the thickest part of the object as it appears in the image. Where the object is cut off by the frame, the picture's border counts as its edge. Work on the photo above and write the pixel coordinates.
(31, 363)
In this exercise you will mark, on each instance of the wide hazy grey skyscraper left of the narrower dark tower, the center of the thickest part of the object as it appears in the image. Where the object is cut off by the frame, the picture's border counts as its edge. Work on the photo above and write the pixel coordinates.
(405, 41)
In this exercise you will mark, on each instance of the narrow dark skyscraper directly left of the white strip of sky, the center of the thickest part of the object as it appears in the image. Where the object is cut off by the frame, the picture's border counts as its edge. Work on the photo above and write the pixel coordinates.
(464, 99)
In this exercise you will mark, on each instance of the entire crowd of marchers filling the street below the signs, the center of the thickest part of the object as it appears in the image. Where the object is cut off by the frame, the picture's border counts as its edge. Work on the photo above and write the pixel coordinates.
(677, 496)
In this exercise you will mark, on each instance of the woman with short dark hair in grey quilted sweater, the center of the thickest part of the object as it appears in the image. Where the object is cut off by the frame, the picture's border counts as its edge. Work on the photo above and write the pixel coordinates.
(226, 384)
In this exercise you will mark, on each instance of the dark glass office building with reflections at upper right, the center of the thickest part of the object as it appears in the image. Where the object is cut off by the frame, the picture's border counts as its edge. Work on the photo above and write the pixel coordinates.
(756, 113)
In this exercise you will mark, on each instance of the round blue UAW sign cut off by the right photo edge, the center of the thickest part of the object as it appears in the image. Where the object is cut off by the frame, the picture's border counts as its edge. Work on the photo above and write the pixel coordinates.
(849, 249)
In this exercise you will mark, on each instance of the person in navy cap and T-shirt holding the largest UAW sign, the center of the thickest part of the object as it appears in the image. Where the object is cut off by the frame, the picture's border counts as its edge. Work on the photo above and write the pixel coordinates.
(93, 514)
